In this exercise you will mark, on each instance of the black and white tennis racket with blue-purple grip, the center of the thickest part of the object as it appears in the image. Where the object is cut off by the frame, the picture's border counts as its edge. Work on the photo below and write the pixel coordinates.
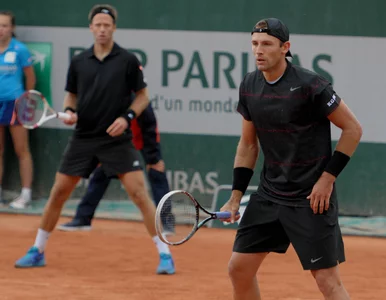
(178, 217)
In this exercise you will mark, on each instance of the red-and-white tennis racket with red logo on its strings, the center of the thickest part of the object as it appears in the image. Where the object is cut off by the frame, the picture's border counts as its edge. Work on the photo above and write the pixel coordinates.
(32, 110)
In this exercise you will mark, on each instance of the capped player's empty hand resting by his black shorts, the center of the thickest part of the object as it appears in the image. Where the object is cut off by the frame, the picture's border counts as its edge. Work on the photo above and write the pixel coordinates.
(321, 193)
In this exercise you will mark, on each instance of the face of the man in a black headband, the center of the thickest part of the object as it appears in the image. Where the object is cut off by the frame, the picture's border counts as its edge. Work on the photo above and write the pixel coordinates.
(103, 28)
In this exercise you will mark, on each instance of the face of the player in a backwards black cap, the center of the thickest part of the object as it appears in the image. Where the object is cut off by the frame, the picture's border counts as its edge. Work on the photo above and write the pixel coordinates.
(267, 50)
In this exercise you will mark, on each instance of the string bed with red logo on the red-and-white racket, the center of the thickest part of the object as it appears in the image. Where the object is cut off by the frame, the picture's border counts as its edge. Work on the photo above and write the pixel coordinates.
(29, 109)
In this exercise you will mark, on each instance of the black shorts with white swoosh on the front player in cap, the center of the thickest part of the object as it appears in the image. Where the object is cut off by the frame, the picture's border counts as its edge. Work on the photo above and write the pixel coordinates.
(270, 227)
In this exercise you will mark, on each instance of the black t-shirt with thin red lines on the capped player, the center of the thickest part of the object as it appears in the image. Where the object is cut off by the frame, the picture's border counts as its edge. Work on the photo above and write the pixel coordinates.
(290, 117)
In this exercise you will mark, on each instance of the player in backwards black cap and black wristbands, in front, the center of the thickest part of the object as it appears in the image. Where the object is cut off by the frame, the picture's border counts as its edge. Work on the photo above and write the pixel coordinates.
(288, 111)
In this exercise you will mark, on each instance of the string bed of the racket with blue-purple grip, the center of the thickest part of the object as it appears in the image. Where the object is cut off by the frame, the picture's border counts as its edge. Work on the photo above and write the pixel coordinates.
(178, 218)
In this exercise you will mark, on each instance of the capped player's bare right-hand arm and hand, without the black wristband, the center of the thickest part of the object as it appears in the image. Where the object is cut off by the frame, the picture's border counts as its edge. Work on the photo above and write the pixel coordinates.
(351, 134)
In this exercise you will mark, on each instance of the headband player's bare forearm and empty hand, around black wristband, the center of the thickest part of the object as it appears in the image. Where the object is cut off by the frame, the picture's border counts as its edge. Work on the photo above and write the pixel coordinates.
(139, 104)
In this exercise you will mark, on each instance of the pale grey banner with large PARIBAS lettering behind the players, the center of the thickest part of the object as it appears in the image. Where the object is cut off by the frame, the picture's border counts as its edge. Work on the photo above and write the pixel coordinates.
(193, 76)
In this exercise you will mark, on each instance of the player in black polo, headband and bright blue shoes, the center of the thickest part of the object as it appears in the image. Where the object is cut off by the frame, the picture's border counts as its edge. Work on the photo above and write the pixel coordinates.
(99, 83)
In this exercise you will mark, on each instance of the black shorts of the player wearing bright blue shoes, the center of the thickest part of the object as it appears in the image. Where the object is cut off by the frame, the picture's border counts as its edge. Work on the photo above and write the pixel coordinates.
(116, 156)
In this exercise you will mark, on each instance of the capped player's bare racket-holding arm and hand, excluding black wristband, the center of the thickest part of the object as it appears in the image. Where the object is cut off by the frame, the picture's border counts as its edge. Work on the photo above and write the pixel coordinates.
(246, 156)
